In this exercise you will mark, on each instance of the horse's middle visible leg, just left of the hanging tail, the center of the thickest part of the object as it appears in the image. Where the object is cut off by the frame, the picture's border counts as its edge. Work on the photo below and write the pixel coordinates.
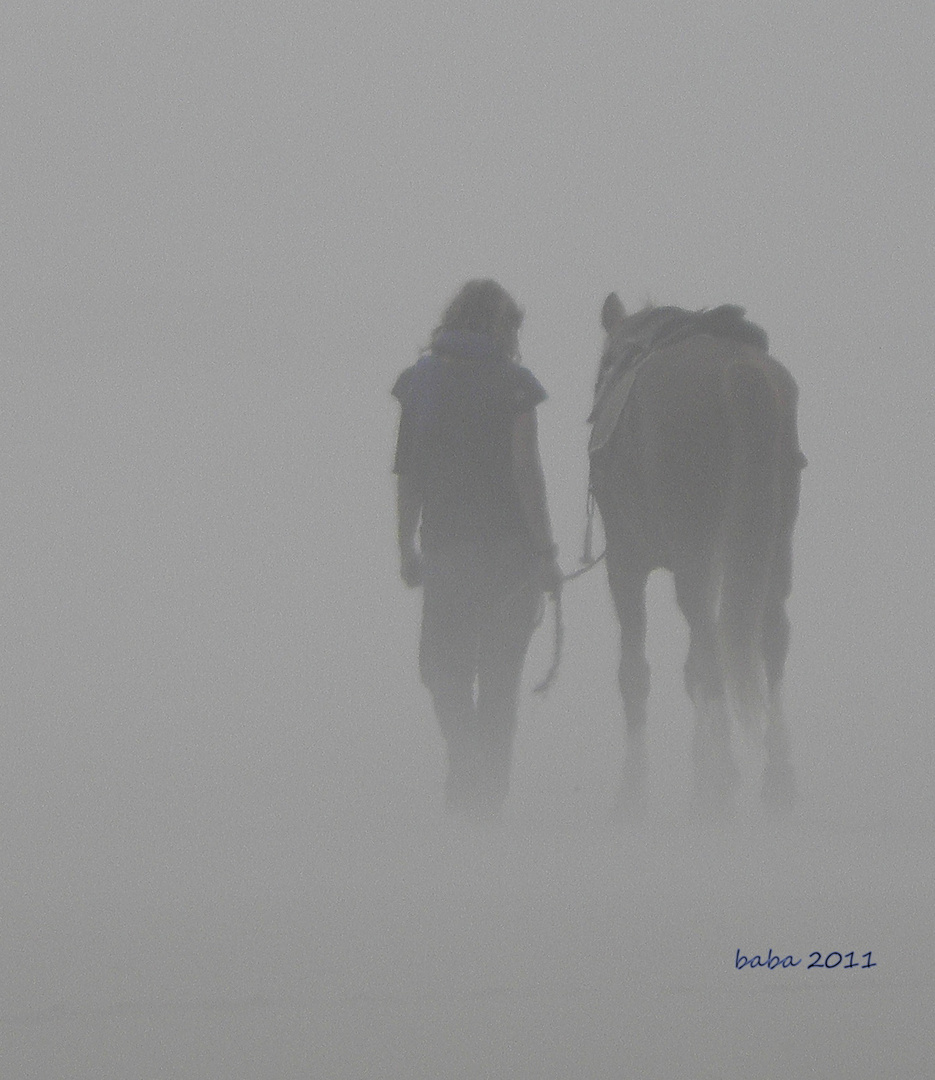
(715, 773)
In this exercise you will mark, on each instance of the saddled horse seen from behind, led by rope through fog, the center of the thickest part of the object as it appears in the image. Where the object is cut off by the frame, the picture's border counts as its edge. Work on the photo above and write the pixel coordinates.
(696, 469)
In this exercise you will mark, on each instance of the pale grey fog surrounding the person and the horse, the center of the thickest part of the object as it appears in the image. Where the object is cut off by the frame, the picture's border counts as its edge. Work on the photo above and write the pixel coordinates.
(226, 228)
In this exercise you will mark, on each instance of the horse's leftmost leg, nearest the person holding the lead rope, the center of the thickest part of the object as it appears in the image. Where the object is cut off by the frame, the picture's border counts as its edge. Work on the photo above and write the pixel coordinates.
(628, 587)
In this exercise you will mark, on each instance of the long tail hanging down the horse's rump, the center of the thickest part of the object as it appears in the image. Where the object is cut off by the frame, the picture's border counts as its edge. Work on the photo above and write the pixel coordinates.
(751, 531)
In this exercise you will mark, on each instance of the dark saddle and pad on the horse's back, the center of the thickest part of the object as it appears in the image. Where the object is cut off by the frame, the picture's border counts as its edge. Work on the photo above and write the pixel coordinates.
(648, 333)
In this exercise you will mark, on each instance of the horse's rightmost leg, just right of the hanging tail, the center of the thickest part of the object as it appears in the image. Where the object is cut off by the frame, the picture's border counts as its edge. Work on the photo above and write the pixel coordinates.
(779, 789)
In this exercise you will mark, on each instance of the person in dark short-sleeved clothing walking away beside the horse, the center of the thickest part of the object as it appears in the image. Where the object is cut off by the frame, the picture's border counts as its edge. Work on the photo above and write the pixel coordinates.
(470, 482)
